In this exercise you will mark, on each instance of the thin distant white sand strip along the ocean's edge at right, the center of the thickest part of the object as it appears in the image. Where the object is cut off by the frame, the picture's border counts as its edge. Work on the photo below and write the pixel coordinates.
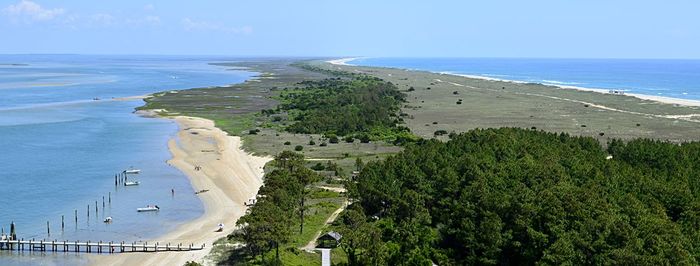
(660, 99)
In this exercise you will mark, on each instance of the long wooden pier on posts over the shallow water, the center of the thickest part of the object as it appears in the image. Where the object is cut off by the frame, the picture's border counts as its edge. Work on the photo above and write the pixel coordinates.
(93, 247)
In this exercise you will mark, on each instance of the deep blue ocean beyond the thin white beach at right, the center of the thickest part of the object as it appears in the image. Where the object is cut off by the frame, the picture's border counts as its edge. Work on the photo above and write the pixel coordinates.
(669, 78)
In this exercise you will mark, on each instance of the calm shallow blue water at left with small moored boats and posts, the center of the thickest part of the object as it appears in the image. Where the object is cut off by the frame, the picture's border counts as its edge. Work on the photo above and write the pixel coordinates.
(60, 149)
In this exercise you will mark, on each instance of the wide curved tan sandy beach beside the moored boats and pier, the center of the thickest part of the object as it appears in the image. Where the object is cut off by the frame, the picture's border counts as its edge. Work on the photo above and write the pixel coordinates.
(231, 175)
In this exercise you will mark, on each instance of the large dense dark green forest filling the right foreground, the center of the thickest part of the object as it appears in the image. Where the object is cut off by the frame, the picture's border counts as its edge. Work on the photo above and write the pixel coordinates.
(516, 196)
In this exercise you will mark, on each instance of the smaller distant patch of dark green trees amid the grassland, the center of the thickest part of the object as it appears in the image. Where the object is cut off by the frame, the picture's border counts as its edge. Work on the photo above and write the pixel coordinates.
(362, 107)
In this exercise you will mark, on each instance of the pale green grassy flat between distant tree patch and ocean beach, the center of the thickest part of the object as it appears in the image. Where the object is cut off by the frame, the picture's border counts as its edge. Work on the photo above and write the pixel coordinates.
(456, 103)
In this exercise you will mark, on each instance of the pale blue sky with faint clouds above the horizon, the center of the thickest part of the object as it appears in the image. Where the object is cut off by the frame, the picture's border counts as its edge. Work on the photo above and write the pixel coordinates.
(493, 28)
